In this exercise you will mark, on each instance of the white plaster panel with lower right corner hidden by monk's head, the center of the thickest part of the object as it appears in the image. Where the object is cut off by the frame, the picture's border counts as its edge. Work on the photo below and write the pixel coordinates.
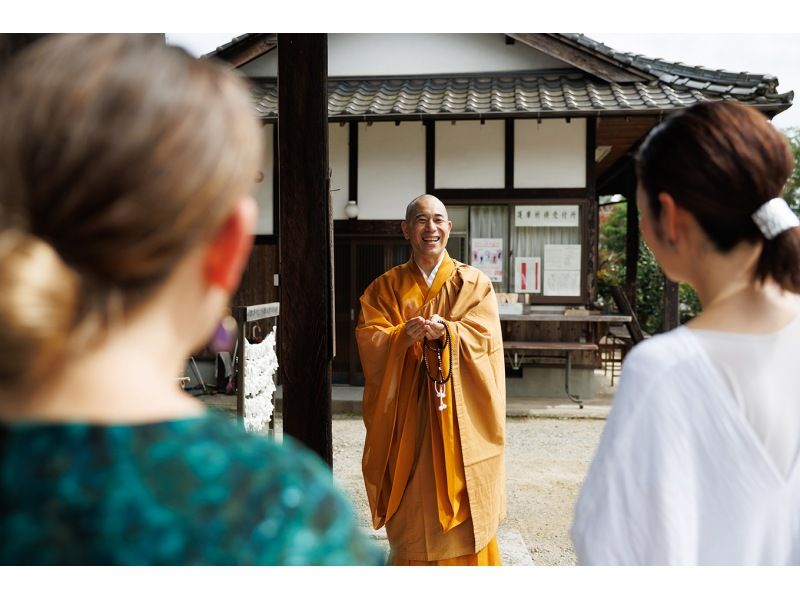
(391, 168)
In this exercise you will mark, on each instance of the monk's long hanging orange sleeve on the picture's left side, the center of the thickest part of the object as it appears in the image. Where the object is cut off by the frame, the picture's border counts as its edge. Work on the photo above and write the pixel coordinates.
(391, 366)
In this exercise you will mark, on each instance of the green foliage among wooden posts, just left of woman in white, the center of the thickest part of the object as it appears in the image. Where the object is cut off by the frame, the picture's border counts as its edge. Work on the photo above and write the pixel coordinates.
(649, 277)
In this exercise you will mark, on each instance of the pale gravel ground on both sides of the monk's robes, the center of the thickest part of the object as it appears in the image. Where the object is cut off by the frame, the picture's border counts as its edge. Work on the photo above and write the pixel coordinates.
(546, 461)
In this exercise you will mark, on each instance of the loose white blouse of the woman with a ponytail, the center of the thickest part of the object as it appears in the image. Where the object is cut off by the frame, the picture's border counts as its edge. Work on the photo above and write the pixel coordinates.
(683, 474)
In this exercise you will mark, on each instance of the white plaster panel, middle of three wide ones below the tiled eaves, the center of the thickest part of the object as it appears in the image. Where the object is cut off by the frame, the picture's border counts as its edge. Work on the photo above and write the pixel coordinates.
(470, 154)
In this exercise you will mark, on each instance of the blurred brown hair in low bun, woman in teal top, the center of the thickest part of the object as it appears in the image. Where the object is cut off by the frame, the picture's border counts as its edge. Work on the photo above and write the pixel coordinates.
(118, 154)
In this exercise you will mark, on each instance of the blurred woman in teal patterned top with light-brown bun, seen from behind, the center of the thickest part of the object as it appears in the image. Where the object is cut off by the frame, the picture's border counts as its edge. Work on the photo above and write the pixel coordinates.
(126, 219)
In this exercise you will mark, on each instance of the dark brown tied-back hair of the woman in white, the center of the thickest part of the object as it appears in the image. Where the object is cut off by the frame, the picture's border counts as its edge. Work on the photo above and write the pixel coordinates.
(721, 161)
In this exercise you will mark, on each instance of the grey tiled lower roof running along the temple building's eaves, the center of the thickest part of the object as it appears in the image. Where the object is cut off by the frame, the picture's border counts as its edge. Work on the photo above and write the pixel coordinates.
(541, 93)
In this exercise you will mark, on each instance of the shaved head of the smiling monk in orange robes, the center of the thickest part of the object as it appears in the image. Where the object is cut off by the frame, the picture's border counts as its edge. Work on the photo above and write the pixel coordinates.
(426, 227)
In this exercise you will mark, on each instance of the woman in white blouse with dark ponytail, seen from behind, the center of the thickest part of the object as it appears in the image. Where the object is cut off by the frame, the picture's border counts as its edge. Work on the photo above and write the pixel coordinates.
(698, 460)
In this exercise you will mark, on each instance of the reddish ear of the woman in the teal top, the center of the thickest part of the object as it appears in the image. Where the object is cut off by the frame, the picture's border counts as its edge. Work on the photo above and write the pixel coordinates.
(227, 252)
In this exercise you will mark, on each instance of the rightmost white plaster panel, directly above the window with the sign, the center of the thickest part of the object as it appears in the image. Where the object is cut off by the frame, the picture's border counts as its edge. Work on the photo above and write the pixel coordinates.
(550, 154)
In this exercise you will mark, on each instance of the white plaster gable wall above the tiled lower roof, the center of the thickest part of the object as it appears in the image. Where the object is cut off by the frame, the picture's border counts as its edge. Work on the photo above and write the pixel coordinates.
(382, 54)
